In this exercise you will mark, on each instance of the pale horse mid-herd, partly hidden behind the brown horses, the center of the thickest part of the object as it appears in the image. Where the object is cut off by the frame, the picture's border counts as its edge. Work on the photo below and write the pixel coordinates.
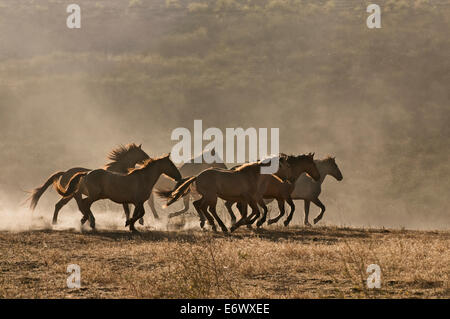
(190, 168)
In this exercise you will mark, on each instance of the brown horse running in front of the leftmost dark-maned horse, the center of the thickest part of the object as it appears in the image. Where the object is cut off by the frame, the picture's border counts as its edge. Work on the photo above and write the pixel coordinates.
(133, 188)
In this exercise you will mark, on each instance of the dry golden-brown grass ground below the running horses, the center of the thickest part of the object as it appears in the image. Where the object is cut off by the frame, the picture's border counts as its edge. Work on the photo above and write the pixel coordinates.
(323, 262)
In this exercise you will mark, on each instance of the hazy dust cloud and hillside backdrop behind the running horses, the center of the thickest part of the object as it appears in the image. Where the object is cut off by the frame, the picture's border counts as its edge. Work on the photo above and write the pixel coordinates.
(378, 100)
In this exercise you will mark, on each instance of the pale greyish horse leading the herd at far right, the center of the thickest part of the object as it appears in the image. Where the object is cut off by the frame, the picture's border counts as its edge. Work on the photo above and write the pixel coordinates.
(309, 190)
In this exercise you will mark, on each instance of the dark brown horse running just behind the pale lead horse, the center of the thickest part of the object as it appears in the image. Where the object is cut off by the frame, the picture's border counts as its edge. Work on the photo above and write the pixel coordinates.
(280, 185)
